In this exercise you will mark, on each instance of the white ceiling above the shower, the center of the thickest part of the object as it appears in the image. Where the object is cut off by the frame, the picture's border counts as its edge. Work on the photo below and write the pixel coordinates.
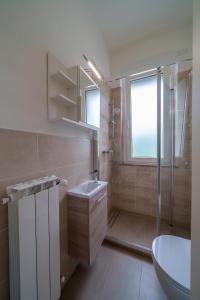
(125, 21)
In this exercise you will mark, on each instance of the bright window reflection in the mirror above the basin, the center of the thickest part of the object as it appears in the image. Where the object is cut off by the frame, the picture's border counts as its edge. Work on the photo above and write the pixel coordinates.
(92, 107)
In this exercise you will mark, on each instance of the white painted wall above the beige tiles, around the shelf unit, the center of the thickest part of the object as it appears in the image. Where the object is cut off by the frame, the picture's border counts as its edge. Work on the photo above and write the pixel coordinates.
(28, 29)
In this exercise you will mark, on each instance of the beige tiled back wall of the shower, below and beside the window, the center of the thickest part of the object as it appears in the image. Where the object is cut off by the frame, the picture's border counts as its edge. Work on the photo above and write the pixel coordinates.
(134, 187)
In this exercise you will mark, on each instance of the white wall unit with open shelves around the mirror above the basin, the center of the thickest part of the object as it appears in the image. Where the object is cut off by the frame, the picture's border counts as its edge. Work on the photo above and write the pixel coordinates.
(65, 93)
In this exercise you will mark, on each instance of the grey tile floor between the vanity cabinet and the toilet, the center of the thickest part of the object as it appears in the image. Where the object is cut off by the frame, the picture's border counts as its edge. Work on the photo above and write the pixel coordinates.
(115, 274)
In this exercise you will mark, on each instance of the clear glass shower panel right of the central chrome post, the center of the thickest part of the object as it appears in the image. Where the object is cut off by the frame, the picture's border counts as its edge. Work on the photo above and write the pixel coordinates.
(175, 139)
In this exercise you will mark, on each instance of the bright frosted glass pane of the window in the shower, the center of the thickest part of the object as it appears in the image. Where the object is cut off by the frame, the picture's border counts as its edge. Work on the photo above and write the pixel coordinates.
(144, 117)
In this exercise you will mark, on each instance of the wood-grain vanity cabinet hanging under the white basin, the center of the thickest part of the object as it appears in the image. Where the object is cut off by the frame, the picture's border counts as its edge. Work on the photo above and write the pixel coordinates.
(87, 225)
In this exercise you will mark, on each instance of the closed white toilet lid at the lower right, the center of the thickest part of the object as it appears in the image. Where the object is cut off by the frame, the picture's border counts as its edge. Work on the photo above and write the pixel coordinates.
(173, 255)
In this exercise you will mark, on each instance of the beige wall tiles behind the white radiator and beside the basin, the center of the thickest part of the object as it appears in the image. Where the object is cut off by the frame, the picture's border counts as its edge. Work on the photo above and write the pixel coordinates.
(24, 156)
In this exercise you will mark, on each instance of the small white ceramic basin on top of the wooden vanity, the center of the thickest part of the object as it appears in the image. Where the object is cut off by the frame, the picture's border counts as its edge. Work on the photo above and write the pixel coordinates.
(87, 189)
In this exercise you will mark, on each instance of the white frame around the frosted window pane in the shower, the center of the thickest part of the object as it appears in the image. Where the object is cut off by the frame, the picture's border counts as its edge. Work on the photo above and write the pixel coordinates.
(127, 134)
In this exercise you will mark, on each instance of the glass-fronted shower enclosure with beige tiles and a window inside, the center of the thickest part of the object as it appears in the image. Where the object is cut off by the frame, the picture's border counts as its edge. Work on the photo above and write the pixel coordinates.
(153, 198)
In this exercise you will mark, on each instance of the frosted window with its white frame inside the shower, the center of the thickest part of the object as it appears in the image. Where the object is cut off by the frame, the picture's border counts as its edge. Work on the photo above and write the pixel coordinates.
(141, 135)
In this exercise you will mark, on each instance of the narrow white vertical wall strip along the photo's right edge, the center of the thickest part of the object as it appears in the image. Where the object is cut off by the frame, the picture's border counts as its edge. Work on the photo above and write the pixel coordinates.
(196, 155)
